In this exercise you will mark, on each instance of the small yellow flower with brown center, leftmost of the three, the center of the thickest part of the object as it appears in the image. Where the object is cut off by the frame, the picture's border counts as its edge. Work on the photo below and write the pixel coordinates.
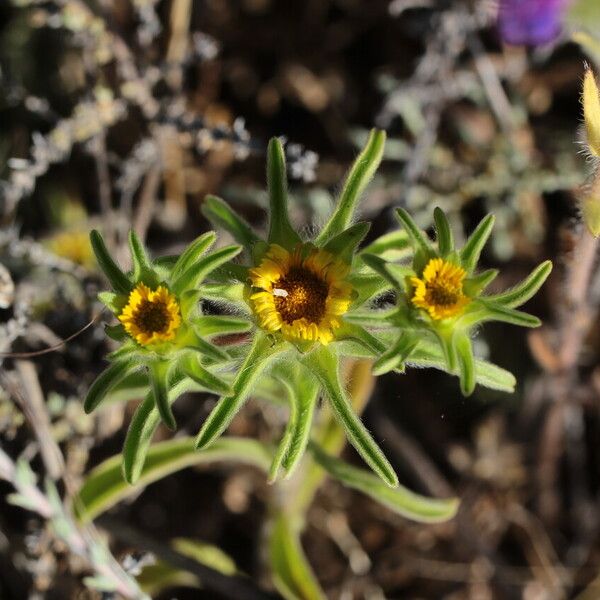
(151, 316)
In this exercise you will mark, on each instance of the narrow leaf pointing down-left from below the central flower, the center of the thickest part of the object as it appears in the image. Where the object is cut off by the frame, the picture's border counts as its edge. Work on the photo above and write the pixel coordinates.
(256, 361)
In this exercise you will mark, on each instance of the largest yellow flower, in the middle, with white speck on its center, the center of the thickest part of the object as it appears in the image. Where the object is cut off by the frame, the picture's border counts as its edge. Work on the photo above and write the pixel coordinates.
(302, 293)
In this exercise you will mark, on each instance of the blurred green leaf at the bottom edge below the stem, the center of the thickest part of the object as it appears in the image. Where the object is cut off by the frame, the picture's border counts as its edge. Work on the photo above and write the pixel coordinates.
(292, 573)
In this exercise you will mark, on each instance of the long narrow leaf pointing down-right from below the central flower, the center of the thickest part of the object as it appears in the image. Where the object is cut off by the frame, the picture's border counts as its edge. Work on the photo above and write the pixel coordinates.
(324, 364)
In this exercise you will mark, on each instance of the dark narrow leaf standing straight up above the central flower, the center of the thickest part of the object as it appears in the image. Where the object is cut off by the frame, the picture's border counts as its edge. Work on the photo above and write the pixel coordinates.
(280, 230)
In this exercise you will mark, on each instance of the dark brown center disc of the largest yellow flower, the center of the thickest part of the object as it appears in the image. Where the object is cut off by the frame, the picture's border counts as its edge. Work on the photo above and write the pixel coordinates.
(300, 294)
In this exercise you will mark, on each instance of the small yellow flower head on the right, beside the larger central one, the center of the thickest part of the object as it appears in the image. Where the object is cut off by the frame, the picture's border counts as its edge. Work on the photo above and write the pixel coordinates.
(439, 291)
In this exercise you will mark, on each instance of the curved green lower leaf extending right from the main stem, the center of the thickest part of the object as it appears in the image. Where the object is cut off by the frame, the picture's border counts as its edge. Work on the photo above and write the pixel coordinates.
(399, 499)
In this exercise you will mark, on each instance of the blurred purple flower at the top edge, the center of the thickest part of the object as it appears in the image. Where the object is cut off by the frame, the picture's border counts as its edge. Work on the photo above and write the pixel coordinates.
(530, 22)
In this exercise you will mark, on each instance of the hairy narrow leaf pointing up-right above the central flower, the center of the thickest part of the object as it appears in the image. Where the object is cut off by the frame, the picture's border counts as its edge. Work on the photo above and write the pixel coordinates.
(360, 175)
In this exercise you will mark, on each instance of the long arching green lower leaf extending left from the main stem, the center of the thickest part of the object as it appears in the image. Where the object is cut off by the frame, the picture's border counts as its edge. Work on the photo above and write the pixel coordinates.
(104, 487)
